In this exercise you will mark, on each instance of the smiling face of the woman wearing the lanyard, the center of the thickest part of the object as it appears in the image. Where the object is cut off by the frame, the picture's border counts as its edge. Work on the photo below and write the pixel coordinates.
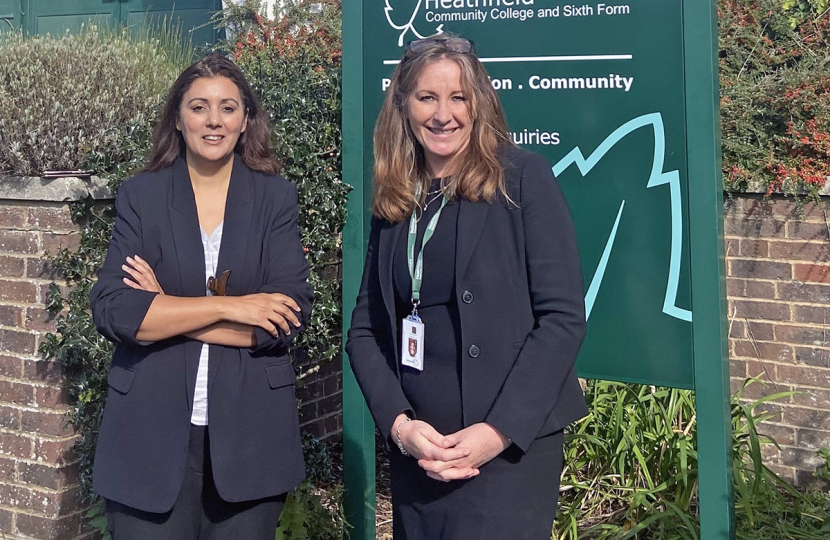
(439, 116)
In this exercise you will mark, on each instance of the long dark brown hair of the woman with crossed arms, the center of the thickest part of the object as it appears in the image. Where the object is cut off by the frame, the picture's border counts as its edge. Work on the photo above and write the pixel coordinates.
(253, 144)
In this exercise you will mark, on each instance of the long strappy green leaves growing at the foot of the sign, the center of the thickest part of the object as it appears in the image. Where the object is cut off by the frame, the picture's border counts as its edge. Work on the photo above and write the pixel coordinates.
(631, 471)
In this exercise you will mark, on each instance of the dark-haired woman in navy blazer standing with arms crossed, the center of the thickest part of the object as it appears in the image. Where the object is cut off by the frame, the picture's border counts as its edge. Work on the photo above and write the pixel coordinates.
(203, 288)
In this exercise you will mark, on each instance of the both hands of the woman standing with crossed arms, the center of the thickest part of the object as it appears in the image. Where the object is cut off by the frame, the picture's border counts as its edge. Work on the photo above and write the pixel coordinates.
(270, 311)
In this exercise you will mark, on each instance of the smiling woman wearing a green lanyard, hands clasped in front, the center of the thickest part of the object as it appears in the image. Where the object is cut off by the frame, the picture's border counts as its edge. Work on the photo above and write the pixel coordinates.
(470, 314)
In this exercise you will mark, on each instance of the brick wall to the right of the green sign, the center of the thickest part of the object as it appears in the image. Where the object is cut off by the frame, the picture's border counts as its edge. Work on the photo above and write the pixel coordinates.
(778, 285)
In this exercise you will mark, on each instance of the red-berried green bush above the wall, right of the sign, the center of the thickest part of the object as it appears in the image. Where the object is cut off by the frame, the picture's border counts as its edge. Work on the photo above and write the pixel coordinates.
(775, 95)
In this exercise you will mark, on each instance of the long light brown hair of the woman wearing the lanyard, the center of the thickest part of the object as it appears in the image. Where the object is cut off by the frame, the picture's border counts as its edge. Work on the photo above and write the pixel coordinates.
(400, 164)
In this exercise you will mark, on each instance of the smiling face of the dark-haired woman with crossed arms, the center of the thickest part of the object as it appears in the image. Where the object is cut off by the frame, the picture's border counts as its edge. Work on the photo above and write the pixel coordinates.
(211, 118)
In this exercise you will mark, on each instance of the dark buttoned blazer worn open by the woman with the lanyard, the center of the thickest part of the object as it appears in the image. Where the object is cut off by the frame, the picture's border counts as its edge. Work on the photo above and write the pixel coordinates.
(518, 285)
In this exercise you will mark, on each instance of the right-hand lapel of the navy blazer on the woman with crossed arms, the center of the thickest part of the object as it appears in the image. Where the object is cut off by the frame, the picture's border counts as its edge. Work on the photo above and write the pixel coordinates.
(234, 244)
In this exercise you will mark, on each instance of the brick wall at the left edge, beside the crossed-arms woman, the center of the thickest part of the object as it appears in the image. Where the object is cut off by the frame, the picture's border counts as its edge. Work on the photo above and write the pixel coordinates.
(38, 478)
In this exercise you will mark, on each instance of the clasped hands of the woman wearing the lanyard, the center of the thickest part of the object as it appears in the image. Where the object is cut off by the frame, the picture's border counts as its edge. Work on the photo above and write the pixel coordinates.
(457, 456)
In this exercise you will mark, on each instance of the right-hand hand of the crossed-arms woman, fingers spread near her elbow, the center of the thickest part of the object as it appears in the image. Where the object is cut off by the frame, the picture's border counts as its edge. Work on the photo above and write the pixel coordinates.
(270, 311)
